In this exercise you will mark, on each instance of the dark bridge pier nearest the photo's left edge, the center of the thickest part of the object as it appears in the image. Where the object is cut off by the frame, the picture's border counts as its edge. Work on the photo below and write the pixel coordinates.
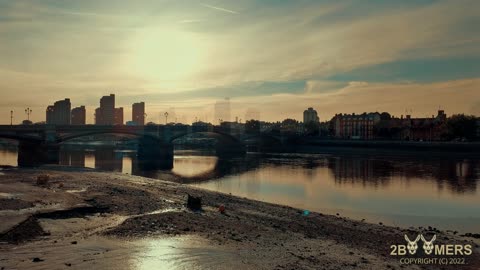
(35, 154)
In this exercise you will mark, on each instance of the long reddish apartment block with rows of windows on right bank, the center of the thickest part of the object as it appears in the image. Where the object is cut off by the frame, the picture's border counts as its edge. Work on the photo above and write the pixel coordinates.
(355, 126)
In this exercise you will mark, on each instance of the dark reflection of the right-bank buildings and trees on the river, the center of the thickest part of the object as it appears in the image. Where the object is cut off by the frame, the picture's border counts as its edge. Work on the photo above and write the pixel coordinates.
(458, 175)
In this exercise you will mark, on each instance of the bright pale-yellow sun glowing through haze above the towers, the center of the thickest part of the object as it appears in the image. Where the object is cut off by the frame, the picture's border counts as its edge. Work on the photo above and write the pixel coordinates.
(166, 55)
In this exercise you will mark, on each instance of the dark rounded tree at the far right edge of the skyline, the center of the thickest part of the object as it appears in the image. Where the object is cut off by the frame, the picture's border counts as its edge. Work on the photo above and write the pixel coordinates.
(462, 126)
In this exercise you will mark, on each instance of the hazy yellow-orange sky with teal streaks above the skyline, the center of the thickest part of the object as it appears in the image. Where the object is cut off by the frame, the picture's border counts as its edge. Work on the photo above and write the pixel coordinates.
(277, 57)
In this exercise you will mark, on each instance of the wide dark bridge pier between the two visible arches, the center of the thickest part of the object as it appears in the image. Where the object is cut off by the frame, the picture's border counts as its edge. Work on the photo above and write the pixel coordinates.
(154, 154)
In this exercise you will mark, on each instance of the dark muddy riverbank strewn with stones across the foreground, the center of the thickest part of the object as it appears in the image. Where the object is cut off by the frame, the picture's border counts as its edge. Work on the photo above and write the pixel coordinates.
(83, 219)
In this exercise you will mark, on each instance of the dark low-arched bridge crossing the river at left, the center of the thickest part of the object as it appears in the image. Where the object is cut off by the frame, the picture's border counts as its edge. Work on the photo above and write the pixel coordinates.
(39, 144)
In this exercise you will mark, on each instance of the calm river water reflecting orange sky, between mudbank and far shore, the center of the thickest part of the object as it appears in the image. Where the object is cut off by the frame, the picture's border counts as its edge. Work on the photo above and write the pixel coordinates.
(395, 188)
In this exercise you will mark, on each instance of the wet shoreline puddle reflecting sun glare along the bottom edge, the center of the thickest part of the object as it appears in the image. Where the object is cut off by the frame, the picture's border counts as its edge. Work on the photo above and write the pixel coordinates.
(179, 252)
